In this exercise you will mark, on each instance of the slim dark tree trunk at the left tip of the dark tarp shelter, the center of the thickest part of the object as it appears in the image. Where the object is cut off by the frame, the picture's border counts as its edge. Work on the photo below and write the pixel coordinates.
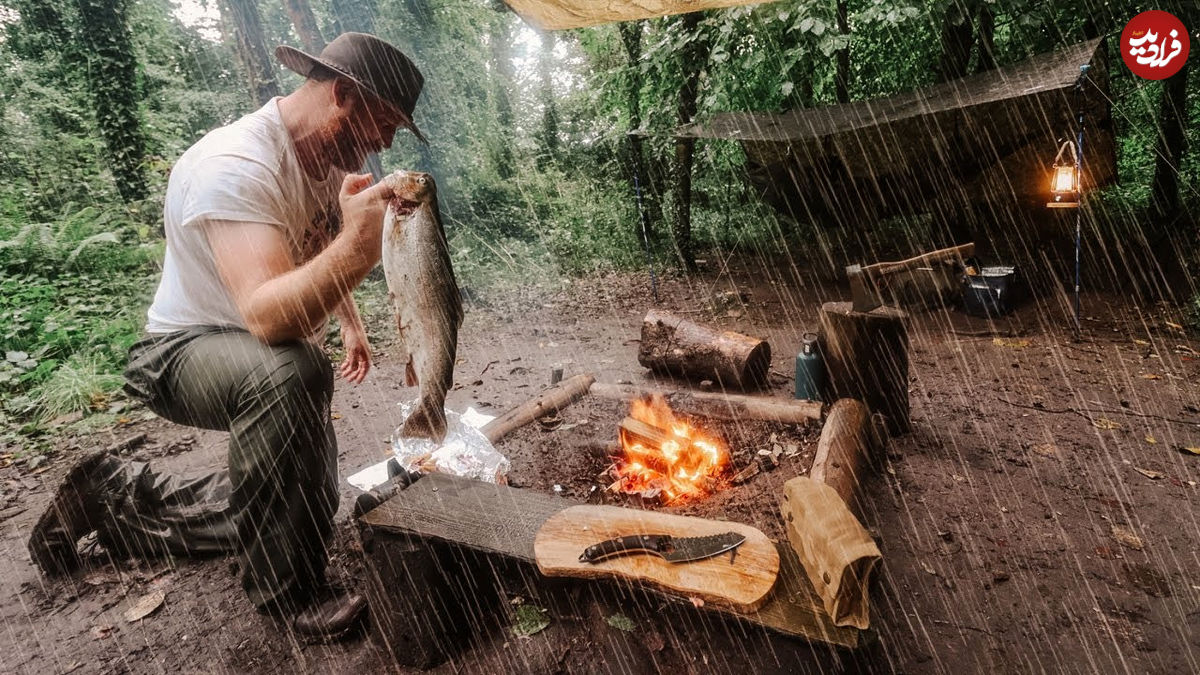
(693, 59)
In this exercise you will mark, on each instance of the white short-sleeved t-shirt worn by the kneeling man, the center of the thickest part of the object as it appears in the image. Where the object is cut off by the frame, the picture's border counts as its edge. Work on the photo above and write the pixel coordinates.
(245, 172)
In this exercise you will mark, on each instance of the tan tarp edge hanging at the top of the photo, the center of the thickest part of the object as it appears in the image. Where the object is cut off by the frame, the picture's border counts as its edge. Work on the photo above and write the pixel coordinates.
(554, 15)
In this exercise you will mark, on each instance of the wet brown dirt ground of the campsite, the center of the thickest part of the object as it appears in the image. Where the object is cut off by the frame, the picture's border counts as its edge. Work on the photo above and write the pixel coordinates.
(1041, 516)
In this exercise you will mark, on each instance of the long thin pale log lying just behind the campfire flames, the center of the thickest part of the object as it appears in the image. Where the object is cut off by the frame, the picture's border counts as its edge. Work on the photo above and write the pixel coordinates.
(721, 407)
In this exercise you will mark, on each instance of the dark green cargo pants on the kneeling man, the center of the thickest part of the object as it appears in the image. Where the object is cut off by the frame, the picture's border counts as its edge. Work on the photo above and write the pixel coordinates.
(275, 505)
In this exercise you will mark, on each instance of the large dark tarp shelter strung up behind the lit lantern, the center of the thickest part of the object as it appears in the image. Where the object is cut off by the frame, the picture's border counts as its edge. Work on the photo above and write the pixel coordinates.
(989, 139)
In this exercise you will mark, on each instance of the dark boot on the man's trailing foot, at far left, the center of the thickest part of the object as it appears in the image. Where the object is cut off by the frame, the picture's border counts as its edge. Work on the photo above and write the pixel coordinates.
(76, 511)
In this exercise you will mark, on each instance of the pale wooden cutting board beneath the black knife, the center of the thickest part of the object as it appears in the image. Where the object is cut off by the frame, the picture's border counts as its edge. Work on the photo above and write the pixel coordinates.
(743, 587)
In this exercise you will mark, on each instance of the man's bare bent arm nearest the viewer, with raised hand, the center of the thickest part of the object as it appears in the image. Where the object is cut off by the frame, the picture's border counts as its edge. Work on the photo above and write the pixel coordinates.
(281, 302)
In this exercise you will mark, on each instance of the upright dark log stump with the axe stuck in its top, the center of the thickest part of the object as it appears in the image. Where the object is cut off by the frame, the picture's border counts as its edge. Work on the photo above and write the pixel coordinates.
(867, 359)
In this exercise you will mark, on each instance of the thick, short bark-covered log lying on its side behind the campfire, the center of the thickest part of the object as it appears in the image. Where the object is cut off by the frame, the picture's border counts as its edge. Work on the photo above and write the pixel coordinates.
(680, 348)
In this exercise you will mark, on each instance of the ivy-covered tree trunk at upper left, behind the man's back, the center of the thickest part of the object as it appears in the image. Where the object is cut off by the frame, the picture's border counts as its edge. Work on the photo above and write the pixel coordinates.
(112, 82)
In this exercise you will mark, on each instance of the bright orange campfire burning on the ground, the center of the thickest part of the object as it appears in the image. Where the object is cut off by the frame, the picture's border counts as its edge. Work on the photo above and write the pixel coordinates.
(667, 458)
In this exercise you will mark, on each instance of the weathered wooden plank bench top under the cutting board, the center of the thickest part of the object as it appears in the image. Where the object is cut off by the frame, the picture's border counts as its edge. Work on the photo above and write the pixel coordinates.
(505, 522)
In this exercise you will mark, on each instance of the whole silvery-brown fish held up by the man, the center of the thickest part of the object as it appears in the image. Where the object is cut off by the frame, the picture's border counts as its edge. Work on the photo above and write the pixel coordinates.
(425, 297)
